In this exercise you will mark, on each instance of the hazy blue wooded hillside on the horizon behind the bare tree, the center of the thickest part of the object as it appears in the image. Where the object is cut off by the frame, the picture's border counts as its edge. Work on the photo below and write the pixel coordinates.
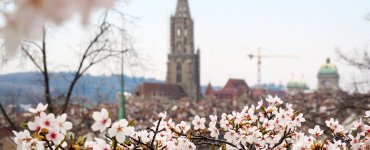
(27, 87)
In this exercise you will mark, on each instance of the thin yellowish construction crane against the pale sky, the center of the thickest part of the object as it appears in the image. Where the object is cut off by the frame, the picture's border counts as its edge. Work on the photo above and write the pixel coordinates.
(259, 57)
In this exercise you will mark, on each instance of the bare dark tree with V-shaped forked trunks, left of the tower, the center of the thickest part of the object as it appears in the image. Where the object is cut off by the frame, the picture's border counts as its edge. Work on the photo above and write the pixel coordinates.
(103, 46)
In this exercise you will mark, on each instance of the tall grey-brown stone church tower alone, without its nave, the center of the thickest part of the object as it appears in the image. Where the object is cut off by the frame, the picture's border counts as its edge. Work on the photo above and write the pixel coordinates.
(183, 66)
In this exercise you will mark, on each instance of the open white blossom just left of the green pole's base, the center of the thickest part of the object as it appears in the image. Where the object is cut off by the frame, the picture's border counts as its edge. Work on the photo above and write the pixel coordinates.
(102, 120)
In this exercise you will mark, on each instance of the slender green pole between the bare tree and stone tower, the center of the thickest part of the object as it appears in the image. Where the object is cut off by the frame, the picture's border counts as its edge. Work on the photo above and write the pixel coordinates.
(122, 101)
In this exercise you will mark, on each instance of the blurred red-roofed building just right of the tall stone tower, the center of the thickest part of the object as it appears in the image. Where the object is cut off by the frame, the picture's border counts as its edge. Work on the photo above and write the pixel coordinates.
(233, 89)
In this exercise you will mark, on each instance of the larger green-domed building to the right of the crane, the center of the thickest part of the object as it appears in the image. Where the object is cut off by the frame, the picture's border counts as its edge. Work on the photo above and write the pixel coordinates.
(328, 78)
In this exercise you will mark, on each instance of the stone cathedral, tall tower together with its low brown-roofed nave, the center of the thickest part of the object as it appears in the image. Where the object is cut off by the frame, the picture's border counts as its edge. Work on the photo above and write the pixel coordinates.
(183, 66)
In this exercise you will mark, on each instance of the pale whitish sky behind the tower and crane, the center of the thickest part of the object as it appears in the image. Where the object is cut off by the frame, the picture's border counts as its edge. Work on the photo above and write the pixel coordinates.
(227, 30)
